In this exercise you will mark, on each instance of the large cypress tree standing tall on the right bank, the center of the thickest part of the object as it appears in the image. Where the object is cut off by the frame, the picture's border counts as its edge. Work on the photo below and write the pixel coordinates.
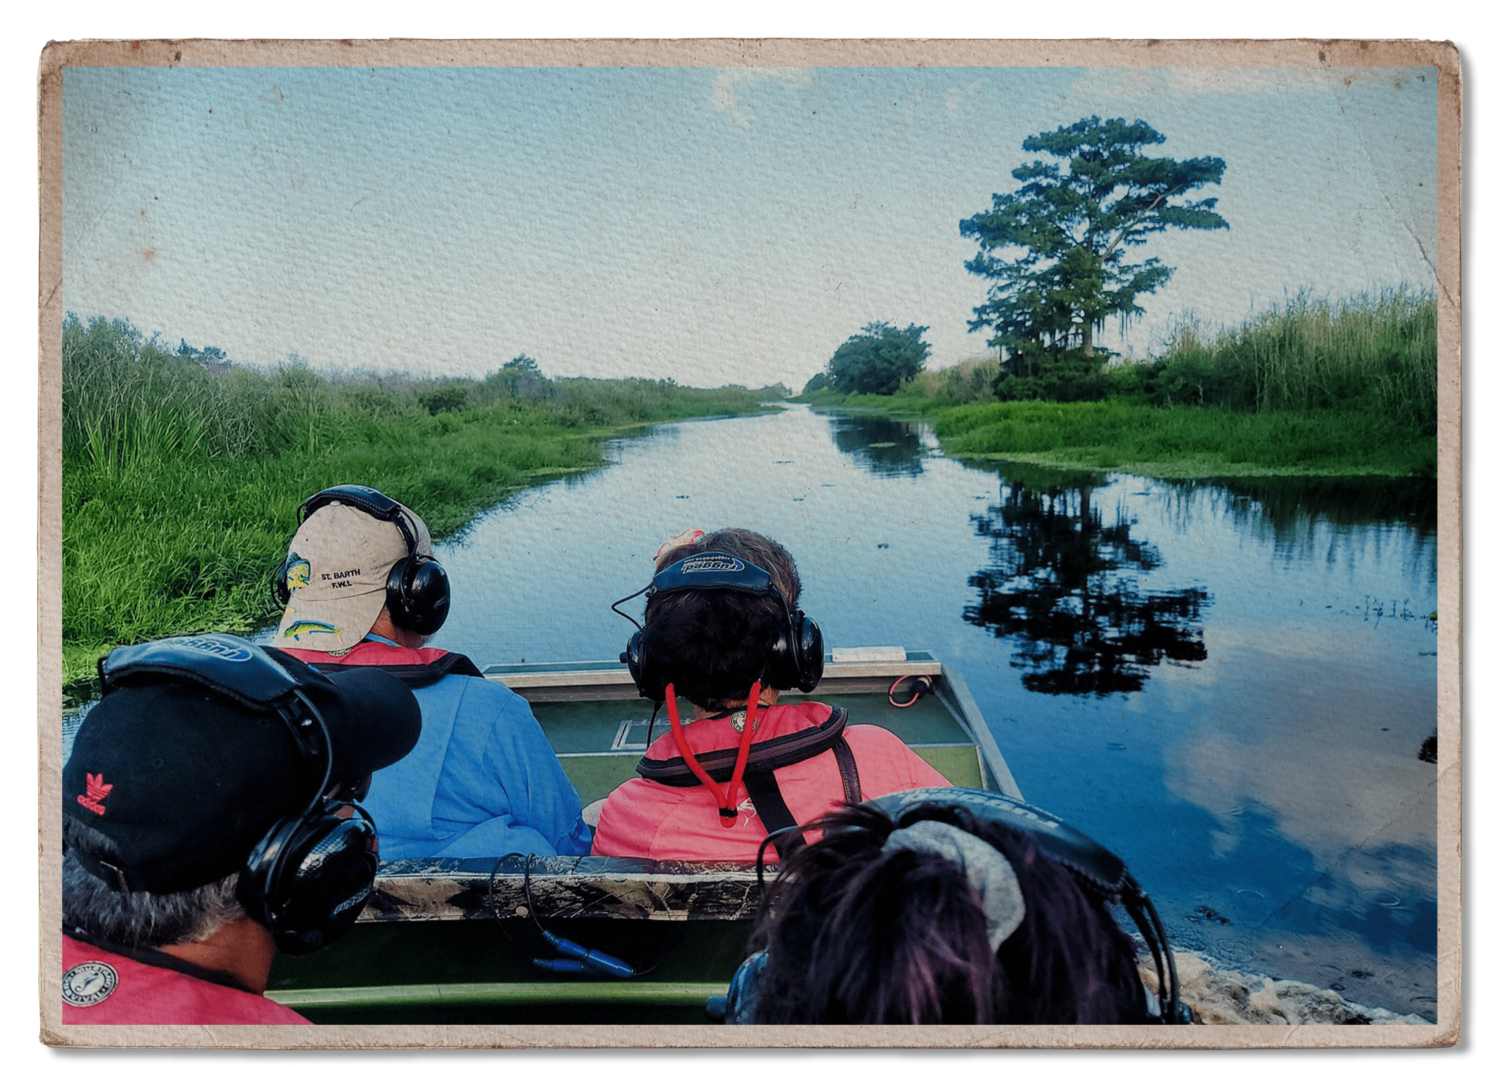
(1057, 248)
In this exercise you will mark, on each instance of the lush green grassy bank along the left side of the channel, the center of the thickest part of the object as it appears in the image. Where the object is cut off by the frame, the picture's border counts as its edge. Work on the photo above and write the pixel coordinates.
(182, 473)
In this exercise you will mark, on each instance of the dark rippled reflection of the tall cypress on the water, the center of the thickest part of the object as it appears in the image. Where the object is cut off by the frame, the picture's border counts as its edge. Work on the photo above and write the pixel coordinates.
(1061, 585)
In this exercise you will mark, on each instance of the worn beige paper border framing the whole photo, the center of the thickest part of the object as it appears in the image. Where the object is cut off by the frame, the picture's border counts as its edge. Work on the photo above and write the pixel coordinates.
(781, 53)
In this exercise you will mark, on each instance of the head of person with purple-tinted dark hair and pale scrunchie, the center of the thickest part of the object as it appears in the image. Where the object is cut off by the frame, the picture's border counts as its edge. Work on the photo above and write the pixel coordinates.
(934, 918)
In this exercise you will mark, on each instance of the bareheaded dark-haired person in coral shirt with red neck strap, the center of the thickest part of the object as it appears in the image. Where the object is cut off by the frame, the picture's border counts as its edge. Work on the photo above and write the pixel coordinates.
(722, 632)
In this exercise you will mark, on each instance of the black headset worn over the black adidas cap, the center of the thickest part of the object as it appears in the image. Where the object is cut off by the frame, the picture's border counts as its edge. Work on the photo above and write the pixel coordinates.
(310, 878)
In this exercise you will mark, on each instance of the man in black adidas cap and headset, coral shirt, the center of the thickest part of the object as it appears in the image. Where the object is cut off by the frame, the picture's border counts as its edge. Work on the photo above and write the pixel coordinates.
(209, 821)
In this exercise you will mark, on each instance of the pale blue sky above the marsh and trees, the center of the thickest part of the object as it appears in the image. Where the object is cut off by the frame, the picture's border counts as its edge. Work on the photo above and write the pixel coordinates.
(710, 226)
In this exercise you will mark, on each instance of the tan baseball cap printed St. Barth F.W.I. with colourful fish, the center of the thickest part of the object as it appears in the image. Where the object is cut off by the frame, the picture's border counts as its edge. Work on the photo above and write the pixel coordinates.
(337, 570)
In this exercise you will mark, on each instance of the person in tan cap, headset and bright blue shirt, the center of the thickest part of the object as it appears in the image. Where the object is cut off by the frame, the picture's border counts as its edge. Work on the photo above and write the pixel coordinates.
(362, 590)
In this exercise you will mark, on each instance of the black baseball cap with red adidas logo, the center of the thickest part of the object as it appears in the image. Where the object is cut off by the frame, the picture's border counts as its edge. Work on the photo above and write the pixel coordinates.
(202, 744)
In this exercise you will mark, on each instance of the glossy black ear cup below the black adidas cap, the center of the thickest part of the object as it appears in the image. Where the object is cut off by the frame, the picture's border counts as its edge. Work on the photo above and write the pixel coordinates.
(311, 876)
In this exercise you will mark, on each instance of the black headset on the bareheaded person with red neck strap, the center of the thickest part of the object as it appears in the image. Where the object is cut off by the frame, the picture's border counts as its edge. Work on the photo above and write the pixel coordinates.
(794, 660)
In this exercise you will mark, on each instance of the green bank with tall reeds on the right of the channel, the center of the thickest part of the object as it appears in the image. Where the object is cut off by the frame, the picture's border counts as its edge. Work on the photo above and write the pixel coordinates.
(1312, 388)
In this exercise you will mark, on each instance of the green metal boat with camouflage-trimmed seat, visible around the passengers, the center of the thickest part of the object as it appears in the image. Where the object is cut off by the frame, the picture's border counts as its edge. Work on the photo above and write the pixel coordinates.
(455, 941)
